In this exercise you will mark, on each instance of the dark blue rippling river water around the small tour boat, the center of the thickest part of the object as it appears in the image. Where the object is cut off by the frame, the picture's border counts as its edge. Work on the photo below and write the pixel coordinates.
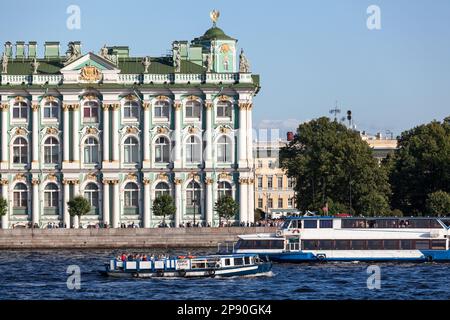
(43, 275)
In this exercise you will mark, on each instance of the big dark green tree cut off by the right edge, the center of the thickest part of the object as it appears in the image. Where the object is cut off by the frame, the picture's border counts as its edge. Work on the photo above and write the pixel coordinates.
(422, 166)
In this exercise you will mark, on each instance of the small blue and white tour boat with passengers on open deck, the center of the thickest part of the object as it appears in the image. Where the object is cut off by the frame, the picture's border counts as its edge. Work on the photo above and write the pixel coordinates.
(190, 266)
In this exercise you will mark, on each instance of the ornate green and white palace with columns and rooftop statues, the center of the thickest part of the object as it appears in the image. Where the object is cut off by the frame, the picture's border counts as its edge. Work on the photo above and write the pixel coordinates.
(121, 130)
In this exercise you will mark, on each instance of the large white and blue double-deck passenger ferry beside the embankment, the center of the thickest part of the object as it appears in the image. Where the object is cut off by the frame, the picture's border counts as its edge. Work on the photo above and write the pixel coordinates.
(303, 239)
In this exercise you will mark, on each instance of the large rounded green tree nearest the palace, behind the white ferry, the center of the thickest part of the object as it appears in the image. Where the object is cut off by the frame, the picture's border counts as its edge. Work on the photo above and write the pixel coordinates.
(332, 162)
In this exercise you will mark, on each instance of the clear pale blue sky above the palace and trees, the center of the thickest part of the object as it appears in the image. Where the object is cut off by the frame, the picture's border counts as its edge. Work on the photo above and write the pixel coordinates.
(309, 53)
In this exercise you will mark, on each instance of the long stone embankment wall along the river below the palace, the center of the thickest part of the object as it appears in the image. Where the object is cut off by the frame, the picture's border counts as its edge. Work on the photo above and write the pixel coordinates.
(122, 238)
